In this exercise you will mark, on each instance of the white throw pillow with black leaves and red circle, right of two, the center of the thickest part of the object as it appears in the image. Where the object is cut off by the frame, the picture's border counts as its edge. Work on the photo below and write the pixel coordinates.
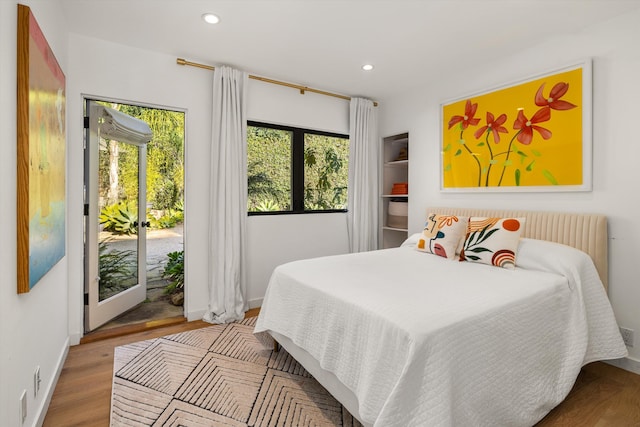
(492, 241)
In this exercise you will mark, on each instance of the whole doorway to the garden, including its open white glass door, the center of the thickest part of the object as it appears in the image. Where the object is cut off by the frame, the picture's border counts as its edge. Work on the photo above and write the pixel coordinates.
(134, 213)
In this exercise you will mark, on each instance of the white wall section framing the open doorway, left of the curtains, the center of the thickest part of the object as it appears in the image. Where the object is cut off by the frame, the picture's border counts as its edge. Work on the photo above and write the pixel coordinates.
(101, 69)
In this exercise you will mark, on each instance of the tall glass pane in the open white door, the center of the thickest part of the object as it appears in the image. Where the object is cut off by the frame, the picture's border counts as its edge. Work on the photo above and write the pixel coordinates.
(118, 200)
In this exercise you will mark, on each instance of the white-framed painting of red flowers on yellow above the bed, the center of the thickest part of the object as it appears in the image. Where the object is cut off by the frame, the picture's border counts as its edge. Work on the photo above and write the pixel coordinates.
(532, 135)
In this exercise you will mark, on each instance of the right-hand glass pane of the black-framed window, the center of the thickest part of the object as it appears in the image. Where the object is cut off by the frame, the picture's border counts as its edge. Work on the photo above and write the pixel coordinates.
(326, 172)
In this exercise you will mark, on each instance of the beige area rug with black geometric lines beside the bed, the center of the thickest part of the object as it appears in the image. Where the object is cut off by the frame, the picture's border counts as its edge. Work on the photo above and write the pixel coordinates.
(221, 375)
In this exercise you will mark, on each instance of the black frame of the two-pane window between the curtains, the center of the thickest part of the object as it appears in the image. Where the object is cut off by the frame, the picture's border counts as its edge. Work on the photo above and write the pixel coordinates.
(297, 168)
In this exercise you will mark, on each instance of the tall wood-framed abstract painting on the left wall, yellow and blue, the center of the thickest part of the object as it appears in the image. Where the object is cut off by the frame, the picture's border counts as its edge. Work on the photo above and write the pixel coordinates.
(41, 170)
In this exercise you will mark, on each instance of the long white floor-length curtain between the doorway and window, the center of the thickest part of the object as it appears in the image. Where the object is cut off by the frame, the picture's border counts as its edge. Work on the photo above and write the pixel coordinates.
(228, 196)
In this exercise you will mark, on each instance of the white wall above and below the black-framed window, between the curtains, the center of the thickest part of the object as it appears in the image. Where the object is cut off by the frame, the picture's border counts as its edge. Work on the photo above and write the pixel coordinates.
(274, 240)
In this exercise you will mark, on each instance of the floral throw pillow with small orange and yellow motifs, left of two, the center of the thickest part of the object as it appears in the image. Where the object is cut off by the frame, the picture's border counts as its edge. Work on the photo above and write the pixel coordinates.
(442, 235)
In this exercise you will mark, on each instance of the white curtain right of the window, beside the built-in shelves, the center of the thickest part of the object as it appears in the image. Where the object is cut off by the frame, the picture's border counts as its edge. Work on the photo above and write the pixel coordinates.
(362, 215)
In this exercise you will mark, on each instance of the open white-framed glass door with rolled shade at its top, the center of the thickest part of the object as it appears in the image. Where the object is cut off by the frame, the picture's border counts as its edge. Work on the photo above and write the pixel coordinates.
(115, 207)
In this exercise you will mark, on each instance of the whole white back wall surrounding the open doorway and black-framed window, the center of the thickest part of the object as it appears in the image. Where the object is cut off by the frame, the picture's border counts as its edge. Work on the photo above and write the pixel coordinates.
(104, 69)
